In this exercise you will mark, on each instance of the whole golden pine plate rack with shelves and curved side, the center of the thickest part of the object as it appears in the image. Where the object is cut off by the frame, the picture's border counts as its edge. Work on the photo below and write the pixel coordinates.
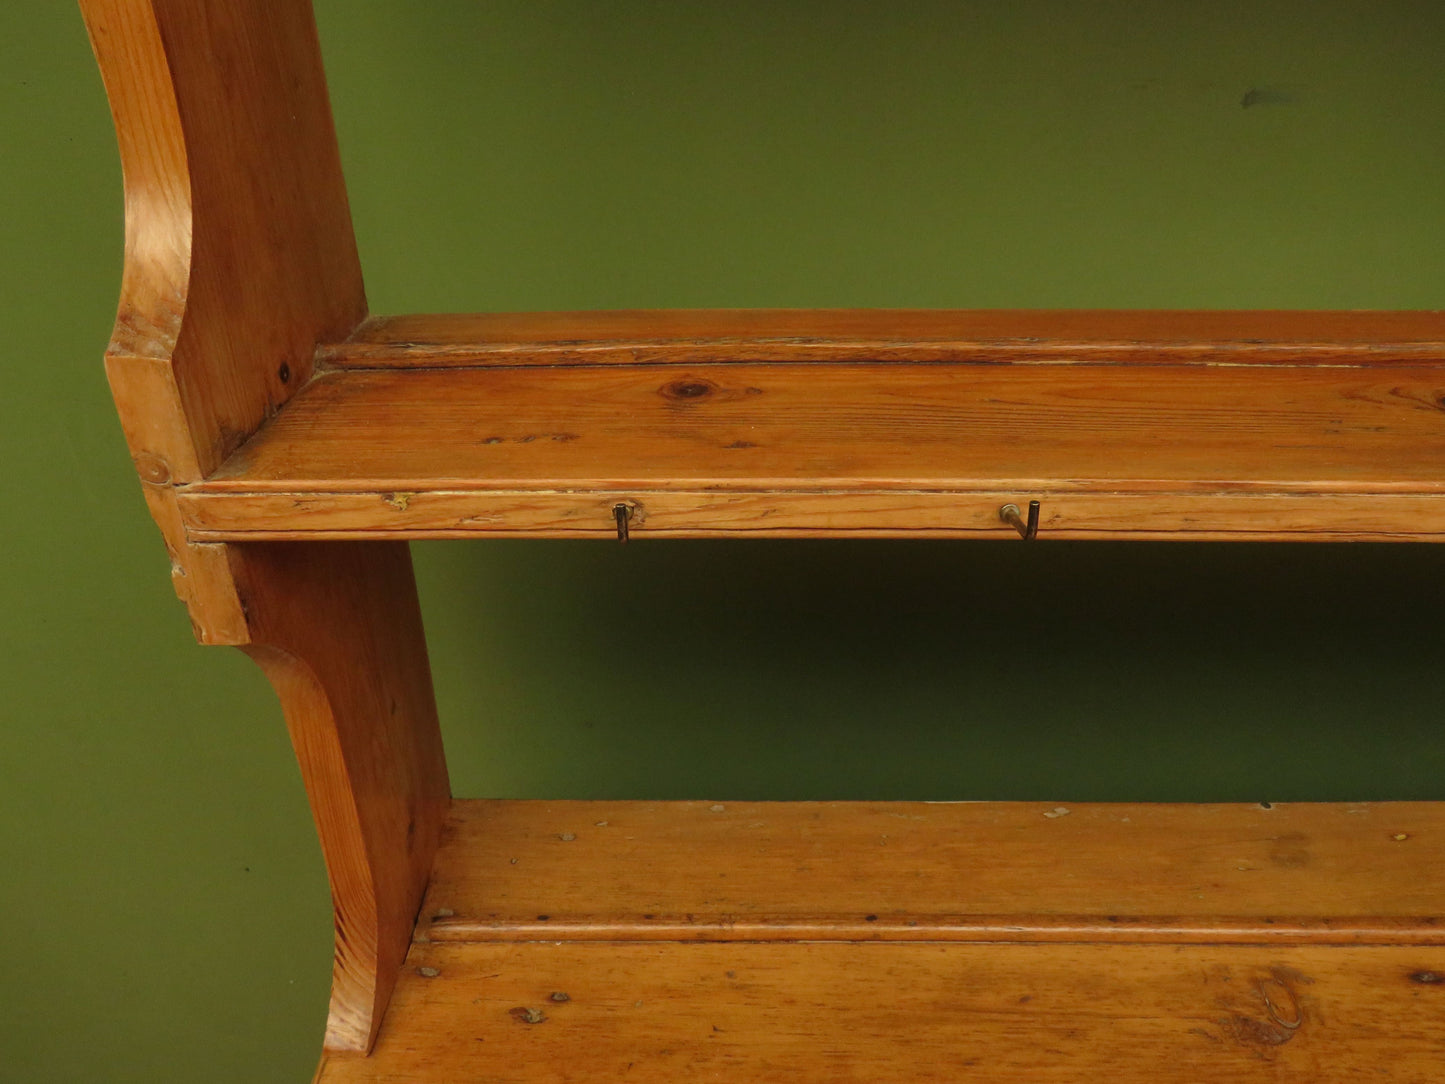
(290, 444)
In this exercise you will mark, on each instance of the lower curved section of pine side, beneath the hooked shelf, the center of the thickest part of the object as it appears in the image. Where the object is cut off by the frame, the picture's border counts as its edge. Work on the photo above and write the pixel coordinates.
(339, 632)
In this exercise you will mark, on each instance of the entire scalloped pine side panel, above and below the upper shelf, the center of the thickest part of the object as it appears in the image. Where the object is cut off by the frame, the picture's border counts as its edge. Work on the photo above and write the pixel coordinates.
(239, 259)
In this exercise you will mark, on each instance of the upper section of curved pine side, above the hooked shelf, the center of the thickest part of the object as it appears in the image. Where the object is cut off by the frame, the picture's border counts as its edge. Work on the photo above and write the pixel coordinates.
(239, 246)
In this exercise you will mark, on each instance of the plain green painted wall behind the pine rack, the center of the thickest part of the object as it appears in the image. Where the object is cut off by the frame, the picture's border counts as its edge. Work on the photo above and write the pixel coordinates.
(164, 914)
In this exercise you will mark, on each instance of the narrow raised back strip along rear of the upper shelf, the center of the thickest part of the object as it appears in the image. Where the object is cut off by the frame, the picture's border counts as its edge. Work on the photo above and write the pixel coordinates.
(1060, 336)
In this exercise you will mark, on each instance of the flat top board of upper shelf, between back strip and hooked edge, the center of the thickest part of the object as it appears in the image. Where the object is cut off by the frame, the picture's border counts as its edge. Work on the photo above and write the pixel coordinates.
(858, 426)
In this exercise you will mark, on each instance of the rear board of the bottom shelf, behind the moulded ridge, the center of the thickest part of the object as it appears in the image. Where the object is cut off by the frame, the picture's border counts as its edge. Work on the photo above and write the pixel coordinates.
(937, 871)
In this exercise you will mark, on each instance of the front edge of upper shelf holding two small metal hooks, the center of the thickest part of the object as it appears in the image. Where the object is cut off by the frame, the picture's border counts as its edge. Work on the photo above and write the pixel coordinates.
(785, 512)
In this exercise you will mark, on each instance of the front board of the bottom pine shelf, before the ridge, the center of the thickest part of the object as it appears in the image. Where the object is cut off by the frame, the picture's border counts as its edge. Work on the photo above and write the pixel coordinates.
(663, 1014)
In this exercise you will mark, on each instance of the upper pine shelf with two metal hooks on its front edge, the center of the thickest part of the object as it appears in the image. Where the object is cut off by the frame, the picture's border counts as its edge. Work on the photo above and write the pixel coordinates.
(1171, 439)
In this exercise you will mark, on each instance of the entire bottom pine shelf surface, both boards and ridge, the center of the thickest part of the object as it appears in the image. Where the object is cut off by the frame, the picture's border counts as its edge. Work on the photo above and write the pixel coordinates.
(664, 942)
